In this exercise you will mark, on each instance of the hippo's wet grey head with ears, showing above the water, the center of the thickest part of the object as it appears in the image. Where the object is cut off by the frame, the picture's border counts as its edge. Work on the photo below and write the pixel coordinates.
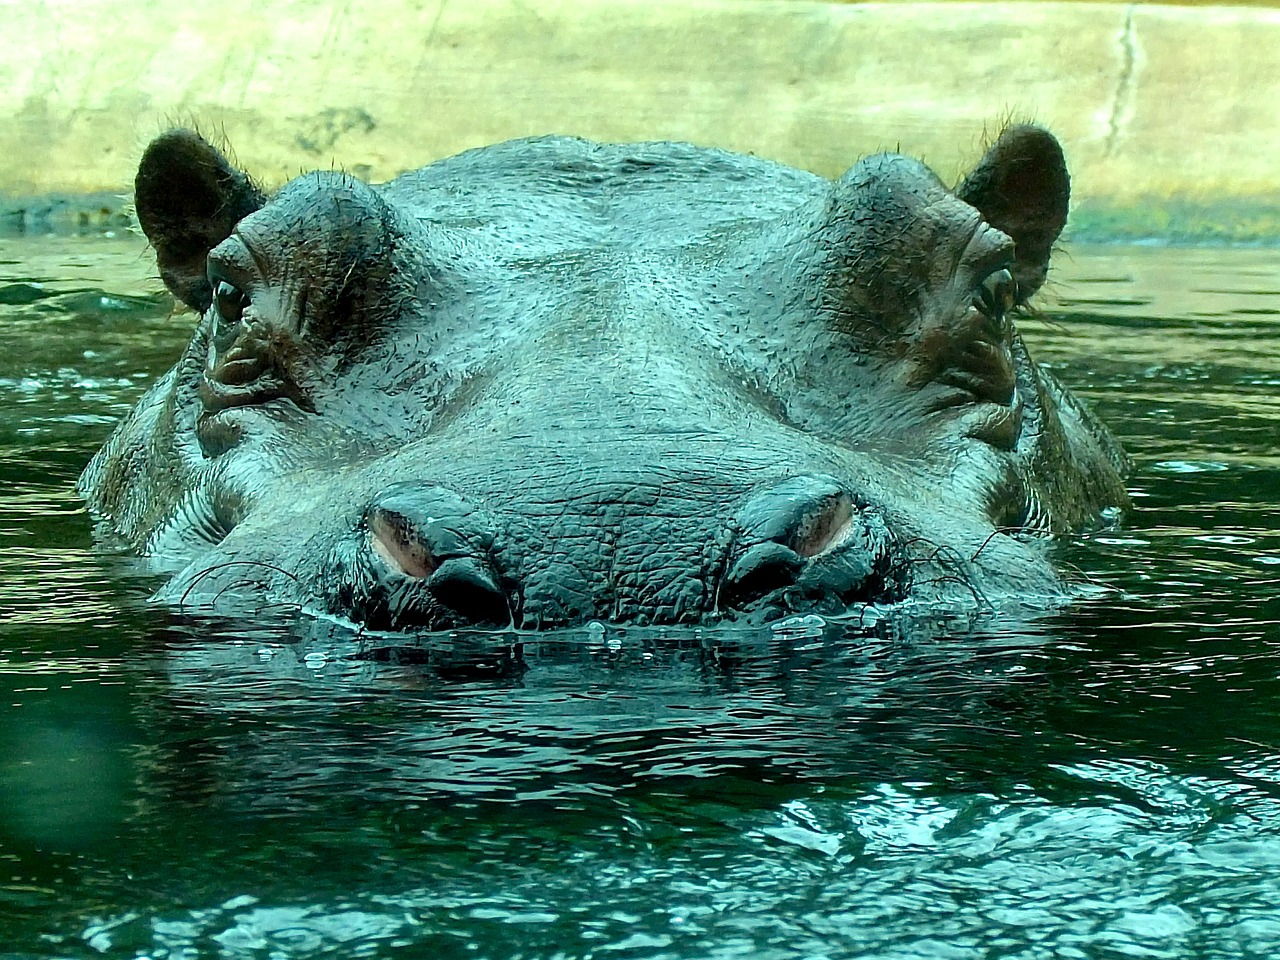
(554, 381)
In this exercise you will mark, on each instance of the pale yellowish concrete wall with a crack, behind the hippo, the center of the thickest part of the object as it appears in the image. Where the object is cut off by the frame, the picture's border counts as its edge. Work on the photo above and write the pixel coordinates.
(1154, 104)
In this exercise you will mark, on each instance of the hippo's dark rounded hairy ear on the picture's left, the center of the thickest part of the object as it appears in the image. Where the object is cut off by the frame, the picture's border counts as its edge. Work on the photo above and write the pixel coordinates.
(189, 200)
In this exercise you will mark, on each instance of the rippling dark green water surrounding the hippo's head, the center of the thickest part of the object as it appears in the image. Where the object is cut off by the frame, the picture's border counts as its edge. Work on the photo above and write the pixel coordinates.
(1099, 781)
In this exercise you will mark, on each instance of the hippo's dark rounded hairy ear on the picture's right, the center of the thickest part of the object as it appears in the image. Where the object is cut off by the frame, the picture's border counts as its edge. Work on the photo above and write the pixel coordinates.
(1022, 189)
